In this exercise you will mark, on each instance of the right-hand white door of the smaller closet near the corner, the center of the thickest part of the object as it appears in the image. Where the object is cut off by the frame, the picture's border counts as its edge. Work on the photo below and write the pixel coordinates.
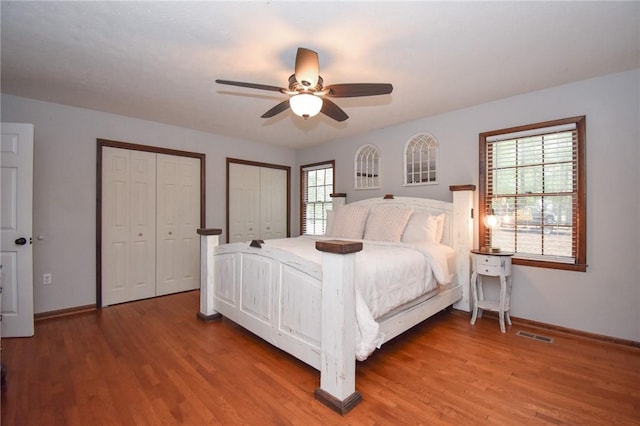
(273, 203)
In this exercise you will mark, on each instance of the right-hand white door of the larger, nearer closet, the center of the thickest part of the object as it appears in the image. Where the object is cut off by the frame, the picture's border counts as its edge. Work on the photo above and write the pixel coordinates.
(178, 216)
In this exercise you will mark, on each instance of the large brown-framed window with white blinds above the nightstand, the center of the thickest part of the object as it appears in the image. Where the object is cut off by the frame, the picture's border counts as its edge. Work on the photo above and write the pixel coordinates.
(533, 179)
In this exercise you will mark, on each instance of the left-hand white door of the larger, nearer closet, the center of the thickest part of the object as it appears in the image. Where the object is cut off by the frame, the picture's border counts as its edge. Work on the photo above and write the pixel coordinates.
(128, 225)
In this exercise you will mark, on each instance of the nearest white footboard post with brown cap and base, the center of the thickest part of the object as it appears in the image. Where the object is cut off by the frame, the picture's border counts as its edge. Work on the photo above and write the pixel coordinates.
(337, 358)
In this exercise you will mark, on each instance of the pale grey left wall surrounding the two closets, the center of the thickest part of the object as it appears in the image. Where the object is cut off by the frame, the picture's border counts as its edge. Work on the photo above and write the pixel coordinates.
(65, 186)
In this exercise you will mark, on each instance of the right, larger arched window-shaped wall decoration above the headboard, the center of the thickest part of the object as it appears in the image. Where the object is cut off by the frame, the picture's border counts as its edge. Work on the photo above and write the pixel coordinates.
(420, 160)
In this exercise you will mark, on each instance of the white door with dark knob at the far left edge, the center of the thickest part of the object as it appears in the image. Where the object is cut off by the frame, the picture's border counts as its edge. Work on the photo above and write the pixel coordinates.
(16, 193)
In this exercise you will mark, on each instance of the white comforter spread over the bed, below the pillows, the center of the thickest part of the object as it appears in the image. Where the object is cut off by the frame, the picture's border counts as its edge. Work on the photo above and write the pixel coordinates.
(388, 275)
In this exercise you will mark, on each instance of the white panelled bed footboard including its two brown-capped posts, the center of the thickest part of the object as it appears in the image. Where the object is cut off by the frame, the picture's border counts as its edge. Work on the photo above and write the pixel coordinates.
(305, 310)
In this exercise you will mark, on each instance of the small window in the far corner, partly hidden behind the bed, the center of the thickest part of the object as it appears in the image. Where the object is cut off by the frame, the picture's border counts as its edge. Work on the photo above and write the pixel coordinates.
(316, 186)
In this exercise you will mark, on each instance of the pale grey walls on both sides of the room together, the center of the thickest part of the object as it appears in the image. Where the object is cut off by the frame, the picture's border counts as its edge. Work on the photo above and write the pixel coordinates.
(604, 300)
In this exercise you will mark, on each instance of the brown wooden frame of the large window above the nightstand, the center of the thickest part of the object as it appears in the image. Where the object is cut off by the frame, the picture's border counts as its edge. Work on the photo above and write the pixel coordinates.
(579, 213)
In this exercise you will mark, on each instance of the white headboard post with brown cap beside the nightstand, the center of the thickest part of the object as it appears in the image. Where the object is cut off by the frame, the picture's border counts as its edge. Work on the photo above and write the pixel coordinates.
(463, 239)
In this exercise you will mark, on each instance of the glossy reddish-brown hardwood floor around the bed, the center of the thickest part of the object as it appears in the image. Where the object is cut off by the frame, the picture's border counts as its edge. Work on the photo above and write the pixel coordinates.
(152, 362)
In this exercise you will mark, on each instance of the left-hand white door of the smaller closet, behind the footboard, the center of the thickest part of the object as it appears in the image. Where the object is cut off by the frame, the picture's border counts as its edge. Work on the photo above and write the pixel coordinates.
(244, 202)
